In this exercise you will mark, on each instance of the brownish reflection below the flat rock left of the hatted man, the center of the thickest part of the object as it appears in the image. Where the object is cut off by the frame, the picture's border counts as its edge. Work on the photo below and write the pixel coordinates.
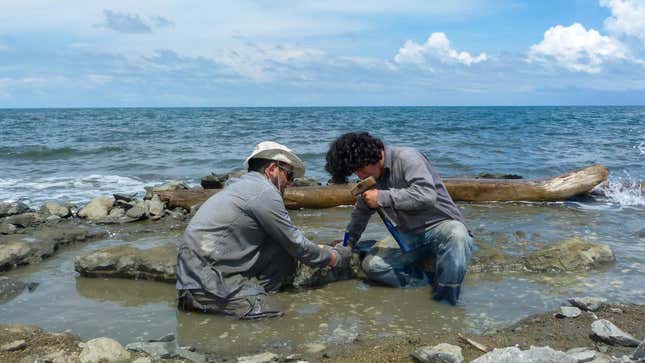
(126, 292)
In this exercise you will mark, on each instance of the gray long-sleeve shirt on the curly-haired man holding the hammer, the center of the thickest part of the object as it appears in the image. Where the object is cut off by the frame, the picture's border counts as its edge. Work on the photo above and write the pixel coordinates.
(410, 191)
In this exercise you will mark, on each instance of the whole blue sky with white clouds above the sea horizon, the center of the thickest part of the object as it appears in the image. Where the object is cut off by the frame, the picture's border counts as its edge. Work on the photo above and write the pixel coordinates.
(321, 53)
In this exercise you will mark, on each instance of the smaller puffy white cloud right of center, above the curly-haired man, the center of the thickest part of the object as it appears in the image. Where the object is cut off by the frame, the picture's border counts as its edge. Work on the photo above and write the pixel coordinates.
(436, 48)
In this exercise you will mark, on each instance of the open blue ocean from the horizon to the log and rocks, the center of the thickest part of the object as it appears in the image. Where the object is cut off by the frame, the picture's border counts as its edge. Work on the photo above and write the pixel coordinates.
(76, 154)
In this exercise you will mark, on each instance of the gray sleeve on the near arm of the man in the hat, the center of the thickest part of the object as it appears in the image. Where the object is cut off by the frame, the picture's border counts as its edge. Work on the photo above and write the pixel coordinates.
(272, 216)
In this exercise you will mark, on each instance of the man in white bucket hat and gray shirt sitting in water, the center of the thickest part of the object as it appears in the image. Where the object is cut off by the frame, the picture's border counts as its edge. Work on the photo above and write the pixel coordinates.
(241, 244)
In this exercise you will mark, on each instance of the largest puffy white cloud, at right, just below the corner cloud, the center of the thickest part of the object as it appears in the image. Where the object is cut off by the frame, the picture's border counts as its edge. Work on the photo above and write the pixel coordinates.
(577, 49)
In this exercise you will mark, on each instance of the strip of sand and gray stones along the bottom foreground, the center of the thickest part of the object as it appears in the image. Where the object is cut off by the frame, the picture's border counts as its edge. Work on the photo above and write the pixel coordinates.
(597, 332)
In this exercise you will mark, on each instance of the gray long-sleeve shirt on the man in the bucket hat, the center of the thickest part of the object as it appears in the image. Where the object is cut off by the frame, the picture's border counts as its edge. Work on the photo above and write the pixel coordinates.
(242, 242)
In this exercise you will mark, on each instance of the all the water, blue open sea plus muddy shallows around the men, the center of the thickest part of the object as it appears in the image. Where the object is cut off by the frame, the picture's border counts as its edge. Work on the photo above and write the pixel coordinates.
(76, 154)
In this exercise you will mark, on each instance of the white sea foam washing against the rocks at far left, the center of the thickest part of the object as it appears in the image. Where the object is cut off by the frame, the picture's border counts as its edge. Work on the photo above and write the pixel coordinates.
(79, 189)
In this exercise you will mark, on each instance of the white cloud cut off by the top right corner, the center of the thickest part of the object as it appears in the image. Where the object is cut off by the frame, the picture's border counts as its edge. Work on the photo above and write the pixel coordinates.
(628, 17)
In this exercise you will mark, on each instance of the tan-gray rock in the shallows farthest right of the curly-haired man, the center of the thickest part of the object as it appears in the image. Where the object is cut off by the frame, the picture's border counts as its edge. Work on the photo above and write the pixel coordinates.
(570, 255)
